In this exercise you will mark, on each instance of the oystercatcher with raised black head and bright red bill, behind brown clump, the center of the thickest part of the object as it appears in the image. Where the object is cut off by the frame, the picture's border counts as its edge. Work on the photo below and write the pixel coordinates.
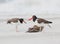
(40, 21)
